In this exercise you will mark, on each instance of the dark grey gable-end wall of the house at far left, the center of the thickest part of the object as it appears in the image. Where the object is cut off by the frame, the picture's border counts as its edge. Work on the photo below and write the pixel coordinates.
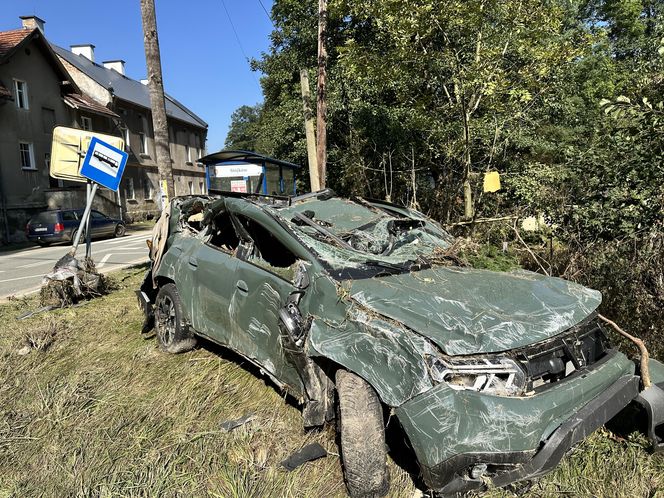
(23, 191)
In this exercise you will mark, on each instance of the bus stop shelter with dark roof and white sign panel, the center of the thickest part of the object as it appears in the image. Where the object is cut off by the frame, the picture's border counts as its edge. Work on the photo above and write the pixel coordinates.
(249, 172)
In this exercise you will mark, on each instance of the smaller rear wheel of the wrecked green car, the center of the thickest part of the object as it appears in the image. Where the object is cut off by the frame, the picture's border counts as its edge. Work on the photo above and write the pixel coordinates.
(173, 333)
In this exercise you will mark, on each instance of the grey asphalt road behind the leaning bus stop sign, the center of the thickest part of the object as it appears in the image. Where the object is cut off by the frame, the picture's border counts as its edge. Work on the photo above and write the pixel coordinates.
(21, 271)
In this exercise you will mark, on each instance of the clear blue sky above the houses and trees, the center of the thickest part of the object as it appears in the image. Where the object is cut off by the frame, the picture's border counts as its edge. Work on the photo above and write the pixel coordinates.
(203, 65)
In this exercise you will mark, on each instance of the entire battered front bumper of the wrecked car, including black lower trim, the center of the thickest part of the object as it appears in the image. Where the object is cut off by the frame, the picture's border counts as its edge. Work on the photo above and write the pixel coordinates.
(463, 439)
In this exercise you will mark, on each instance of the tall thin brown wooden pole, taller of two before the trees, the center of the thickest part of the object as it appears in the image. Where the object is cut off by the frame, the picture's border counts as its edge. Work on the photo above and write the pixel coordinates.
(321, 121)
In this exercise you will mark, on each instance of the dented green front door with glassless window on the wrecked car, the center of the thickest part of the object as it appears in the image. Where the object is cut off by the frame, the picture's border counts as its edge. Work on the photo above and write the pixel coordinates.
(262, 282)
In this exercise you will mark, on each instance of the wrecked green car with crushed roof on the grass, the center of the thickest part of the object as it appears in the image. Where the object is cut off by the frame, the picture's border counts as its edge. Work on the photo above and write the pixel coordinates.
(492, 376)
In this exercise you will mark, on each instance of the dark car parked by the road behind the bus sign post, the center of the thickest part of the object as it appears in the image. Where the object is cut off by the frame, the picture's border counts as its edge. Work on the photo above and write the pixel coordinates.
(61, 225)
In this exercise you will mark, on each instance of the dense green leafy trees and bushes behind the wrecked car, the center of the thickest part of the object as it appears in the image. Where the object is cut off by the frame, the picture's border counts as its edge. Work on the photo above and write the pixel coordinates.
(563, 98)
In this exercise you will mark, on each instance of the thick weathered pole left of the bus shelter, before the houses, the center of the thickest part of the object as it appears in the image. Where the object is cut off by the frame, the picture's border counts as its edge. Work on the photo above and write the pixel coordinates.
(156, 86)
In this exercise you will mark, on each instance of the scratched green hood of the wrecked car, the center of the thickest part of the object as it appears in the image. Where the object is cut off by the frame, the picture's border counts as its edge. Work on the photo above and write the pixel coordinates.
(469, 311)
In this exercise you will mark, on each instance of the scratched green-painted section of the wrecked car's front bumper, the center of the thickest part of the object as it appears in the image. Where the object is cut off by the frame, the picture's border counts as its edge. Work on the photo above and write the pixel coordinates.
(443, 422)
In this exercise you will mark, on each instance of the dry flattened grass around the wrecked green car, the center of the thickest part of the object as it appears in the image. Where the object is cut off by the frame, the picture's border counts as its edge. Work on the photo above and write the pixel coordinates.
(93, 409)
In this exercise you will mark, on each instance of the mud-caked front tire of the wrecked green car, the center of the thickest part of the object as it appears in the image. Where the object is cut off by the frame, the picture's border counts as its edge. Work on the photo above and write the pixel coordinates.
(362, 436)
